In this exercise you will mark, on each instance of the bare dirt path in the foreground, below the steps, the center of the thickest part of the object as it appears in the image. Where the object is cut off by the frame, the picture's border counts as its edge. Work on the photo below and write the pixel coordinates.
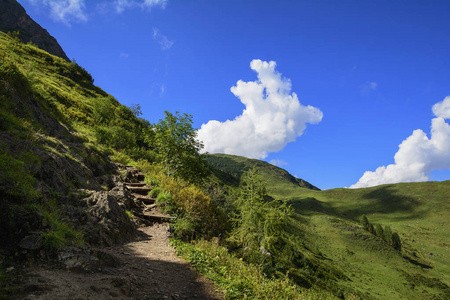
(146, 268)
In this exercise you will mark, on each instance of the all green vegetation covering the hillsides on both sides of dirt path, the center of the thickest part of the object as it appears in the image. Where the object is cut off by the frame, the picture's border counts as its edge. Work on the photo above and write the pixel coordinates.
(253, 228)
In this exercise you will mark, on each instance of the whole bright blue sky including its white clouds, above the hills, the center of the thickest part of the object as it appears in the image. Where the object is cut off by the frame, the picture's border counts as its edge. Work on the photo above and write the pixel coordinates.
(366, 74)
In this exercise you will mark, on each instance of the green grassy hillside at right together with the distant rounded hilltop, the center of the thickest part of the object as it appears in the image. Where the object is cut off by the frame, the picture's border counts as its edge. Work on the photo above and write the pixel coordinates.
(327, 231)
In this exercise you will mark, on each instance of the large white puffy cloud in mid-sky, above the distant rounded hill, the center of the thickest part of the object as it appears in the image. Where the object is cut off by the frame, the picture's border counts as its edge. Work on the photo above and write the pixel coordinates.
(272, 118)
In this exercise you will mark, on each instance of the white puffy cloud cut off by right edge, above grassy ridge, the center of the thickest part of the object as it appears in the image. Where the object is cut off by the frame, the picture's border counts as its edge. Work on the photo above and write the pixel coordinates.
(418, 155)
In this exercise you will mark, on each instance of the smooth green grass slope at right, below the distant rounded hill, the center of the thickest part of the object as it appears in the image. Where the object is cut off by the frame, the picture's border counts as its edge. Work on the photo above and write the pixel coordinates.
(328, 222)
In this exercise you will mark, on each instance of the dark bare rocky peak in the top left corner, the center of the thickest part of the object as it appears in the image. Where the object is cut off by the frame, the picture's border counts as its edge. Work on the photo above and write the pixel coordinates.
(13, 17)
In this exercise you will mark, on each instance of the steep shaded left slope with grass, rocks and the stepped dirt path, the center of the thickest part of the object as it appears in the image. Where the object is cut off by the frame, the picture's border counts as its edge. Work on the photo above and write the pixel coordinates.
(62, 196)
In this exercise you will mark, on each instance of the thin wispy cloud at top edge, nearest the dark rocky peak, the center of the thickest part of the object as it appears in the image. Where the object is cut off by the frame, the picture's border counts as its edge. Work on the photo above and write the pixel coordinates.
(65, 11)
